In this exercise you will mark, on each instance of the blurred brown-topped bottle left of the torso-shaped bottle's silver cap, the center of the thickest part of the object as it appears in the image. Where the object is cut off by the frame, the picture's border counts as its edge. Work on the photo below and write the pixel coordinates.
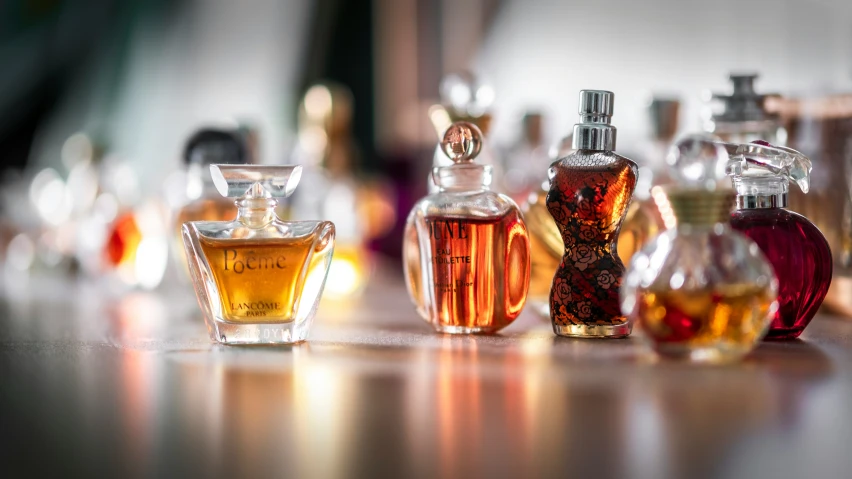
(527, 159)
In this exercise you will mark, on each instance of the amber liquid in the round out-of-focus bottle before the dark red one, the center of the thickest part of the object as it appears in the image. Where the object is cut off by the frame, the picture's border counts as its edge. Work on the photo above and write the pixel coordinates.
(727, 322)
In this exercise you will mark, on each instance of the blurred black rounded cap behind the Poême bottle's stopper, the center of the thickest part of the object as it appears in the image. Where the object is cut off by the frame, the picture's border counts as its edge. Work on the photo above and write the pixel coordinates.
(210, 146)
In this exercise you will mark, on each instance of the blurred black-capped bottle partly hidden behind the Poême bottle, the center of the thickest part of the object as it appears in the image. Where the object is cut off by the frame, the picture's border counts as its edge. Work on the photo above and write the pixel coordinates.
(201, 201)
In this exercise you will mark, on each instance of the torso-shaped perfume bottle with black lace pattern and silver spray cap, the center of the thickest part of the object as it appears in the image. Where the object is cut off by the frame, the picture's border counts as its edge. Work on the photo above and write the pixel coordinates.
(590, 191)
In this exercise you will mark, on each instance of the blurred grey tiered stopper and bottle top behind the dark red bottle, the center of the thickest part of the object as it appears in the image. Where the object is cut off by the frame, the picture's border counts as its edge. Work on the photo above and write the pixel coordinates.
(744, 116)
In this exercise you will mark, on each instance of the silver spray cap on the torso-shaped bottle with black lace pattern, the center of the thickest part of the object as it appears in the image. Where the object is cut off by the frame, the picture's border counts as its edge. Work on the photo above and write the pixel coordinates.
(594, 131)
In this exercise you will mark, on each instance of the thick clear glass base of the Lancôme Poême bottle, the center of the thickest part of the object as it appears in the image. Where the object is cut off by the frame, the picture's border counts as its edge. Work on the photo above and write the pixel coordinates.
(259, 333)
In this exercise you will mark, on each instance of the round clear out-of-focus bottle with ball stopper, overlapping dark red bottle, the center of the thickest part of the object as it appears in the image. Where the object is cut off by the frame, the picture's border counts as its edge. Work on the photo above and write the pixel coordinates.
(700, 291)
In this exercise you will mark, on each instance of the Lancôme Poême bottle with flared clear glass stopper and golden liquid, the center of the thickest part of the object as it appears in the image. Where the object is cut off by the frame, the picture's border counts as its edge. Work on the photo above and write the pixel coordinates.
(258, 279)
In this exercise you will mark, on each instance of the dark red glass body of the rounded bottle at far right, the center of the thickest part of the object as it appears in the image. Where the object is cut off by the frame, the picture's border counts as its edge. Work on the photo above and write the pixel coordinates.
(802, 260)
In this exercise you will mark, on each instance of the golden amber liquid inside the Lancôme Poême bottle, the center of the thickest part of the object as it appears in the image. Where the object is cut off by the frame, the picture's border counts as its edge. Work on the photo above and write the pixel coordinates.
(258, 280)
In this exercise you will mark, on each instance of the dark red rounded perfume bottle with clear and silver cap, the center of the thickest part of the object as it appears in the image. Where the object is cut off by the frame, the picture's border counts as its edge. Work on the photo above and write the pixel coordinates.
(796, 248)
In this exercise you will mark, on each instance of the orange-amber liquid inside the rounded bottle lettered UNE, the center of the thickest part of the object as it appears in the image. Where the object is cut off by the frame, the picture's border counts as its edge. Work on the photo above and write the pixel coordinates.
(467, 262)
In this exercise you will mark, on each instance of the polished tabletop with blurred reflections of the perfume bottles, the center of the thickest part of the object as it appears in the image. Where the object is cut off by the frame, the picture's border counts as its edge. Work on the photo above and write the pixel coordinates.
(130, 386)
